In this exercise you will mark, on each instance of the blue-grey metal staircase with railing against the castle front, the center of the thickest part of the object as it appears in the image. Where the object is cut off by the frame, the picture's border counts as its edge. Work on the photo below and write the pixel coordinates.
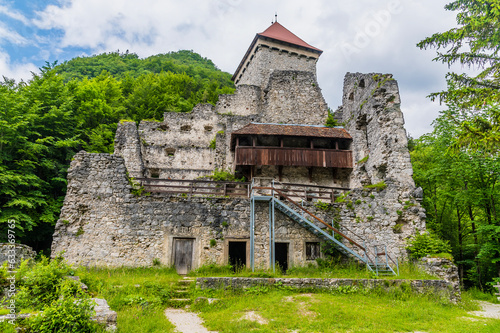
(308, 220)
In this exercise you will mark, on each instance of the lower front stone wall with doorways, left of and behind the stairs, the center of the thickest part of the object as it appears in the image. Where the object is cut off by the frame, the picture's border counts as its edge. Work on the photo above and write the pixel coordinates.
(102, 223)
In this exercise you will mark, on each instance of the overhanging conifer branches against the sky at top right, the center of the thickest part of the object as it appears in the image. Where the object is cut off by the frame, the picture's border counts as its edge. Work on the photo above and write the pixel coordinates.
(474, 43)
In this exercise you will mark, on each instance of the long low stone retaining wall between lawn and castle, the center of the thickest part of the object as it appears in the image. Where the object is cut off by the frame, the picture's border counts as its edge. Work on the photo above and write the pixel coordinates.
(434, 287)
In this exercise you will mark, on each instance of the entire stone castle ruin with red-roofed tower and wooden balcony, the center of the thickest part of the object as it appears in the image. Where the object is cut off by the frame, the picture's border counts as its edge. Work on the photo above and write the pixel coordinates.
(148, 202)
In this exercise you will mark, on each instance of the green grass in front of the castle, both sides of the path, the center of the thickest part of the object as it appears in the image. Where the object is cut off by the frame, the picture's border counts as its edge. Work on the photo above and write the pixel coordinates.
(140, 295)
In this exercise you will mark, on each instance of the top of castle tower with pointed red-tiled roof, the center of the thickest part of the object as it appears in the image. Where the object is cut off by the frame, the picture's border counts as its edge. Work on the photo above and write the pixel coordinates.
(275, 49)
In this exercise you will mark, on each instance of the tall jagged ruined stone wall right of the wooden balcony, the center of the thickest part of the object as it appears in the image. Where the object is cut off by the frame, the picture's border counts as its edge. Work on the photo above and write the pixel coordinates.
(391, 212)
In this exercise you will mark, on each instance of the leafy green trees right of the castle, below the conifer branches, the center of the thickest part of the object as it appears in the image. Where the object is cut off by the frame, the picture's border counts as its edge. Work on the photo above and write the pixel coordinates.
(460, 190)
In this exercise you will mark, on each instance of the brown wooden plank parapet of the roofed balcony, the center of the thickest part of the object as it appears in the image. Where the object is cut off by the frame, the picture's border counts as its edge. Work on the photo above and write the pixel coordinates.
(285, 156)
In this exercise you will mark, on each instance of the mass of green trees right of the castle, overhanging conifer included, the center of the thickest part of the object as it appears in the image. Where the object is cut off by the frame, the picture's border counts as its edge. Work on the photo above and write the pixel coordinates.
(458, 165)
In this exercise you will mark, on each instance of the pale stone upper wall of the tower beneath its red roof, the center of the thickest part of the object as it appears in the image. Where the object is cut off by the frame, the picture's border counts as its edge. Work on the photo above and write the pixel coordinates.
(274, 56)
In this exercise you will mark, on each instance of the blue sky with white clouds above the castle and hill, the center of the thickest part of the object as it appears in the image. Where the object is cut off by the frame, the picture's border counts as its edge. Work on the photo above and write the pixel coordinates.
(367, 36)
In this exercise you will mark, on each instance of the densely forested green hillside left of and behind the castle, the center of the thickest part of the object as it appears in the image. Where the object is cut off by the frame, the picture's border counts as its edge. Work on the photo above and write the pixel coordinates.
(76, 105)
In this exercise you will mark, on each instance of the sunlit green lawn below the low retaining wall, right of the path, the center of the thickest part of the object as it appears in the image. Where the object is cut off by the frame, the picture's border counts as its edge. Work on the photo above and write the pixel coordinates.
(286, 311)
